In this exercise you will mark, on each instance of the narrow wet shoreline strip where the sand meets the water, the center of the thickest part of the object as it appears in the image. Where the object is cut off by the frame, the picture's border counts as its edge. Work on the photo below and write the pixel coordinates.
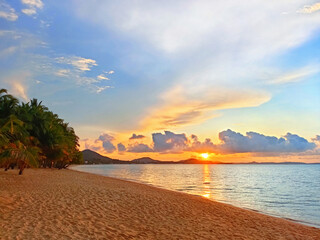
(310, 224)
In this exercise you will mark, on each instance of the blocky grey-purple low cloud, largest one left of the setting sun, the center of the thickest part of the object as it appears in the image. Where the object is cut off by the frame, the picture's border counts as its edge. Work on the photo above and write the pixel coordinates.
(169, 142)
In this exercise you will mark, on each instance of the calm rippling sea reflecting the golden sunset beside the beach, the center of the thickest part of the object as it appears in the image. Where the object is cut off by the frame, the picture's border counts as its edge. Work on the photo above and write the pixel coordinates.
(290, 191)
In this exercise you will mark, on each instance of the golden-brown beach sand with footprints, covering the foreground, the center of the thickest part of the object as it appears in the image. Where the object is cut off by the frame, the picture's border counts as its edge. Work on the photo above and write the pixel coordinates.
(66, 204)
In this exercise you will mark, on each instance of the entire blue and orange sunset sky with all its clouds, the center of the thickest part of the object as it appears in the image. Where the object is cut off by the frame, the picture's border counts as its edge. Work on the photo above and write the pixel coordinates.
(239, 80)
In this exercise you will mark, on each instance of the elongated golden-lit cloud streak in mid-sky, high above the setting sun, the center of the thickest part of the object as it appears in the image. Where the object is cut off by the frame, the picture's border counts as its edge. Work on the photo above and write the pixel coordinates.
(180, 107)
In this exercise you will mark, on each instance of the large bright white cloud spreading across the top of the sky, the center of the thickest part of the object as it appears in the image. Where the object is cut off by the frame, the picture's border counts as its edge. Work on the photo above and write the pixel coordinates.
(175, 27)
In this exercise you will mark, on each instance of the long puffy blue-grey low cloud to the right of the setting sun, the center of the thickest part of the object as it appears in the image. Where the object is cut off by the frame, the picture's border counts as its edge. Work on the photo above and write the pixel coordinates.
(233, 142)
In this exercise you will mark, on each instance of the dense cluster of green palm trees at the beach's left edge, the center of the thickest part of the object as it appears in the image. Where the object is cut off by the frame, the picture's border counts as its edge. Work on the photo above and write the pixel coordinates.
(32, 136)
